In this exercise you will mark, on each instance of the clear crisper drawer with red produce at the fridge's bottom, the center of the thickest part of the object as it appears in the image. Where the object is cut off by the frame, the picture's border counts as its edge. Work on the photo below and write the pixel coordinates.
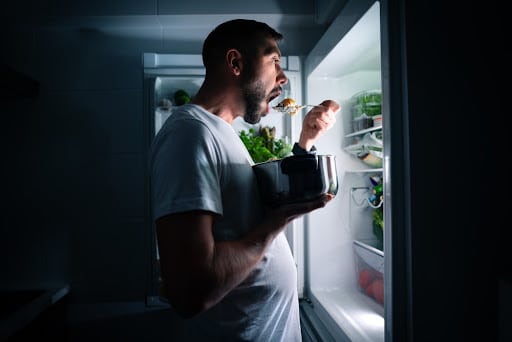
(369, 267)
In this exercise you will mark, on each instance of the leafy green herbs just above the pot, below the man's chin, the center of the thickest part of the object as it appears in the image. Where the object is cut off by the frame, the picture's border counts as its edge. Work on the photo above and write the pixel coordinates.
(263, 146)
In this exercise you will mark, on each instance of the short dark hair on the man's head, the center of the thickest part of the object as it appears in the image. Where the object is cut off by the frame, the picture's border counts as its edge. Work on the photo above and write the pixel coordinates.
(245, 35)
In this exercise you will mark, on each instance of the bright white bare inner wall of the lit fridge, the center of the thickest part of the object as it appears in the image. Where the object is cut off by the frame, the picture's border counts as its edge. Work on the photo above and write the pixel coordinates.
(351, 66)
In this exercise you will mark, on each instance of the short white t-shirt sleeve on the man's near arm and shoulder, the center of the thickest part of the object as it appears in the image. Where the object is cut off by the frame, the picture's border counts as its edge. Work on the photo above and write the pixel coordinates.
(184, 170)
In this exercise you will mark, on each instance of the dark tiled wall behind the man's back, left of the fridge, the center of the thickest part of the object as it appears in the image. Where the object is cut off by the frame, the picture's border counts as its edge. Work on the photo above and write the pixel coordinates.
(74, 164)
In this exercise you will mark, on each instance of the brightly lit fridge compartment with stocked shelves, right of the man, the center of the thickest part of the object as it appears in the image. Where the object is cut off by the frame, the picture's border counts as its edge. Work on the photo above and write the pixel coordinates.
(344, 251)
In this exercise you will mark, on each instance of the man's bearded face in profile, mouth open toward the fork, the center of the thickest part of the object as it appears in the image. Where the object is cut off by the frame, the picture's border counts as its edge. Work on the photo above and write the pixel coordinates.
(261, 82)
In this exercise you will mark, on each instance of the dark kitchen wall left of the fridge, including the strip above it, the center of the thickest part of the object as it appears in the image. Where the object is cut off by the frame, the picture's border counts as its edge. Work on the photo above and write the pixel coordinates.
(73, 138)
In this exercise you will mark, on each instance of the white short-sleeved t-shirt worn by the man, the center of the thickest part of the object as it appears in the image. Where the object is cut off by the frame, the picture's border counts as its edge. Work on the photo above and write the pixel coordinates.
(198, 161)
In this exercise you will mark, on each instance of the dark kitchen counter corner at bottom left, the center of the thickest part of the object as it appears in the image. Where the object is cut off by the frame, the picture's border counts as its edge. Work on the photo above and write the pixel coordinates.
(20, 308)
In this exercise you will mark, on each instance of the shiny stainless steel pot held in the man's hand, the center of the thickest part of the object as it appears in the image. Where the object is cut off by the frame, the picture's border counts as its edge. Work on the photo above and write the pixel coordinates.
(296, 178)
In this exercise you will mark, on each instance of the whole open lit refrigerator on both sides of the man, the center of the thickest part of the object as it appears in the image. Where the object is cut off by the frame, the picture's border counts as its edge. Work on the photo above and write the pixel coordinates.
(344, 252)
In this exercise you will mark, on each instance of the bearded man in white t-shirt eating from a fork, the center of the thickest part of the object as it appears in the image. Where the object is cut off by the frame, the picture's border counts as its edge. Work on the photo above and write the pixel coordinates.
(225, 262)
